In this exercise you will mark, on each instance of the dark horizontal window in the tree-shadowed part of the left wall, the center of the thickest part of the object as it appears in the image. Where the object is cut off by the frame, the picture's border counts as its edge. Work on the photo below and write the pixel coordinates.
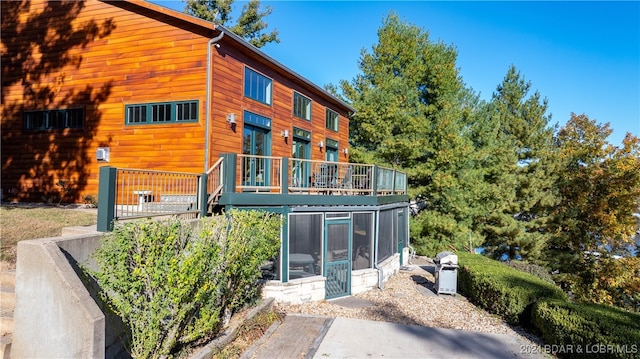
(54, 119)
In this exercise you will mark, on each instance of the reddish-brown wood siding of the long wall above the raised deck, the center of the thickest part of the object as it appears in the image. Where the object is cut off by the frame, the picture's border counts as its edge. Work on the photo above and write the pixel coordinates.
(228, 92)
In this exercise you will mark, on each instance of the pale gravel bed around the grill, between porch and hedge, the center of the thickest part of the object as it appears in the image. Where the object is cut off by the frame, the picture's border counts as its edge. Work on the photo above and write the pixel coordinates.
(408, 298)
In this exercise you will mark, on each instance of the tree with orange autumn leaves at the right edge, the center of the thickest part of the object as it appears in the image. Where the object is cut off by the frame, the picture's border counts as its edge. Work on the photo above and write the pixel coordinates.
(599, 185)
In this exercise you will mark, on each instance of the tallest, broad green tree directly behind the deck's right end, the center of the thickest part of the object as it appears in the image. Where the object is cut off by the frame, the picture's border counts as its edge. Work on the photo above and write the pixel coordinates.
(414, 114)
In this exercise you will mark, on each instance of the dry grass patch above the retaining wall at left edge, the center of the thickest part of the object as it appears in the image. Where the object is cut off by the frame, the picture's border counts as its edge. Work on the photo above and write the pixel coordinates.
(18, 223)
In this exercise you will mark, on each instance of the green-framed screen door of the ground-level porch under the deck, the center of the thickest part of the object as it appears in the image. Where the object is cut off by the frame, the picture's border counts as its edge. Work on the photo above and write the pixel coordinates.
(337, 258)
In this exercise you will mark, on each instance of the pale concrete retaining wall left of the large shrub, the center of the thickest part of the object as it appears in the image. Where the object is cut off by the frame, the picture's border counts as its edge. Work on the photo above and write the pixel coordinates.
(55, 314)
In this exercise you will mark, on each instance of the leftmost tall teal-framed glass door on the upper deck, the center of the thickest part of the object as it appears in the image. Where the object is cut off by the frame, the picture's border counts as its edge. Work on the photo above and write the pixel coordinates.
(255, 170)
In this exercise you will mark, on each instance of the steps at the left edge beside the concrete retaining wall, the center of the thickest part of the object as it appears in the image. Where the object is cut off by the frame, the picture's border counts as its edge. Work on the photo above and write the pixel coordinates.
(7, 304)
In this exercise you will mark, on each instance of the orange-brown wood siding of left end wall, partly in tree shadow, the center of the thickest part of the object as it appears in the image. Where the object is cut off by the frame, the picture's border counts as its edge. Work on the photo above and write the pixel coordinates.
(127, 59)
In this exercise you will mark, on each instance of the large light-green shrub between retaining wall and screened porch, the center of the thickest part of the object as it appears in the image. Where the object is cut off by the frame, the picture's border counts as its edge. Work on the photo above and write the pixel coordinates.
(174, 285)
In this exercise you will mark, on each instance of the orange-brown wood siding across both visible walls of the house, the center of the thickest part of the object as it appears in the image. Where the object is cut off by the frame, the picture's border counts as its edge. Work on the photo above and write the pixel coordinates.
(103, 56)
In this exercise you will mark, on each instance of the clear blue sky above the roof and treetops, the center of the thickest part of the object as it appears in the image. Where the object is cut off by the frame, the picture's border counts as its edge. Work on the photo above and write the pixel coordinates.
(584, 57)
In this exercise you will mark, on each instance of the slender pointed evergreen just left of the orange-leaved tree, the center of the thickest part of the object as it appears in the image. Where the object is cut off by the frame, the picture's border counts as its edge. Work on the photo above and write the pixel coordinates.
(519, 230)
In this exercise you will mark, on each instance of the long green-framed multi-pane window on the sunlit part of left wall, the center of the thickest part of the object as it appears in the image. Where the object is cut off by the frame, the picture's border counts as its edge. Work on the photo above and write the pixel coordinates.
(161, 112)
